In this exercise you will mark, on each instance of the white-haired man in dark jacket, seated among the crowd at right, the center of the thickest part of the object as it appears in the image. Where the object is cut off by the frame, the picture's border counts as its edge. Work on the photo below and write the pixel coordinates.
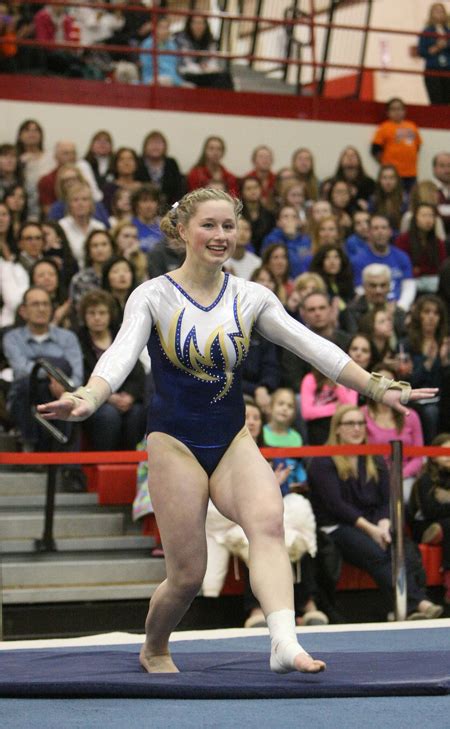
(376, 281)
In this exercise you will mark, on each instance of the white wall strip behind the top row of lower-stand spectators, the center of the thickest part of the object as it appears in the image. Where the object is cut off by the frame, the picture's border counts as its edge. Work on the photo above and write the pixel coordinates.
(186, 132)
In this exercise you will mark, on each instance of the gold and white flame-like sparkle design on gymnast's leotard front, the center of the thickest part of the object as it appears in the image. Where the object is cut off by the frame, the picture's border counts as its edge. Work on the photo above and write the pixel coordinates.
(189, 358)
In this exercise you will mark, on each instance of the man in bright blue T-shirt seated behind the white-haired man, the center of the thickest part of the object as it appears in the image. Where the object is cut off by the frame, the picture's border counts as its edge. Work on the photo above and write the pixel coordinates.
(379, 250)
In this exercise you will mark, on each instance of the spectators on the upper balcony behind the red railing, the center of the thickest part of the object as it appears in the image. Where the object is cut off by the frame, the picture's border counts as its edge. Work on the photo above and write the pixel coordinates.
(138, 32)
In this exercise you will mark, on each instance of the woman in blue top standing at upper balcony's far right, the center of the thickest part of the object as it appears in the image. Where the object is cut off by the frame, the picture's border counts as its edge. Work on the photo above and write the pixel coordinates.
(436, 52)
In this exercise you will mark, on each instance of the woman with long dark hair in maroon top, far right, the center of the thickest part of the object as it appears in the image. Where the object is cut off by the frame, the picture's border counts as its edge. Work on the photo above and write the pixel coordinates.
(427, 252)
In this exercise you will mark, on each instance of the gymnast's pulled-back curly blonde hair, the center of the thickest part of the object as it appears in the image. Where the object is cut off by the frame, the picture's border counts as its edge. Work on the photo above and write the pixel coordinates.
(186, 208)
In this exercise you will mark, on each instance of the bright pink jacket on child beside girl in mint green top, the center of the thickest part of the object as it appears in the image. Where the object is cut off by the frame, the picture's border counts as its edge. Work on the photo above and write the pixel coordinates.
(323, 404)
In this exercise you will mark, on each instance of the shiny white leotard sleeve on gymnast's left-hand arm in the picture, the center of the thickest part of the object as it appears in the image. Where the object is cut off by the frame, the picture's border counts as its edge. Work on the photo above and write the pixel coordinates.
(119, 359)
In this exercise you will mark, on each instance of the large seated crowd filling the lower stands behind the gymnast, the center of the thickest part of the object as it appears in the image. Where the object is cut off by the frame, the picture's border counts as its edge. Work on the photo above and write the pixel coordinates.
(363, 262)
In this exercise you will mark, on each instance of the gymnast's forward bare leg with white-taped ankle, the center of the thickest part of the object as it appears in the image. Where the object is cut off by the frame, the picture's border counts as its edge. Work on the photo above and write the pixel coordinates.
(244, 489)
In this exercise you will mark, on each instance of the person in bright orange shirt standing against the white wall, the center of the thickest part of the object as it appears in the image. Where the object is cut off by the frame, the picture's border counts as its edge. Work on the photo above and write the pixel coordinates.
(397, 142)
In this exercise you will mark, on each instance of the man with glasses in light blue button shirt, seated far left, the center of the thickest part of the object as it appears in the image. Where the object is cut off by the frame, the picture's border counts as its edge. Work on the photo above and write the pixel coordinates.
(22, 347)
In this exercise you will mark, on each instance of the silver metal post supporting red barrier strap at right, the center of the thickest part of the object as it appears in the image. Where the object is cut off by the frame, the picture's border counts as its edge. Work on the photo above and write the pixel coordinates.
(397, 521)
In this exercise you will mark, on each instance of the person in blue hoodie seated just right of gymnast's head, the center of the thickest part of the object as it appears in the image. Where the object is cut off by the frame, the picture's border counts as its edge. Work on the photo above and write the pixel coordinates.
(298, 246)
